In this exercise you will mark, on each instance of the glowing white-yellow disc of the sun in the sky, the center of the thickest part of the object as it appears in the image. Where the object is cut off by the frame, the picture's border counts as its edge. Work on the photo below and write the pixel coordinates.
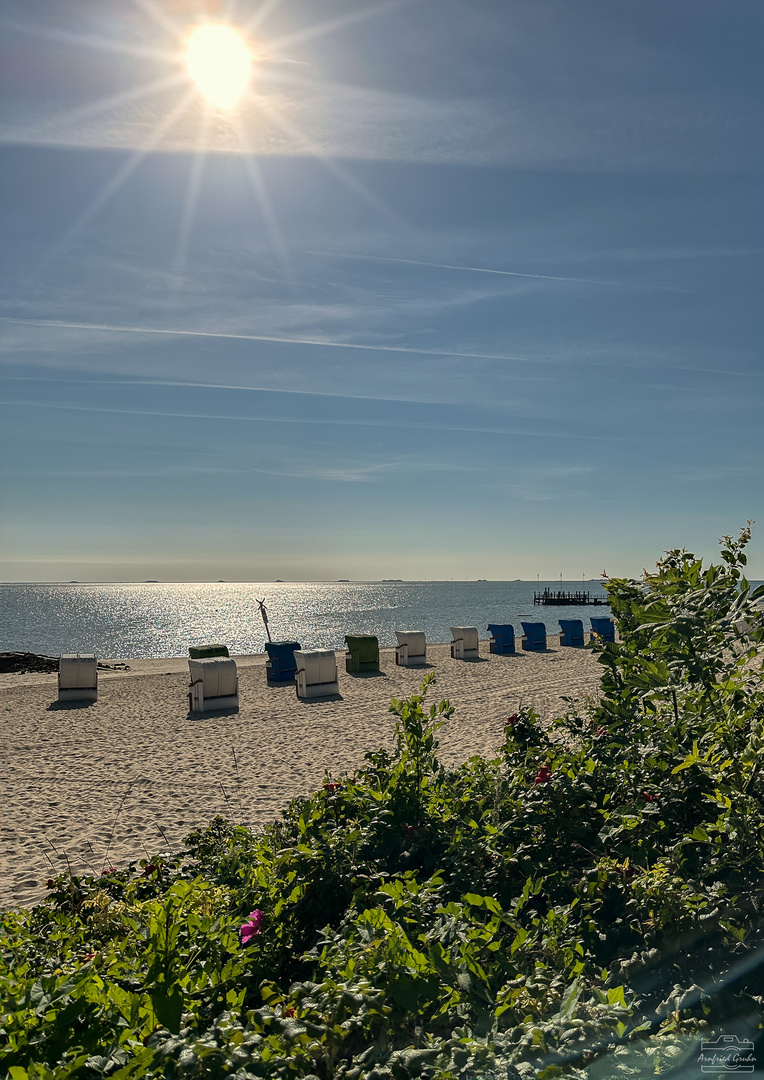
(220, 63)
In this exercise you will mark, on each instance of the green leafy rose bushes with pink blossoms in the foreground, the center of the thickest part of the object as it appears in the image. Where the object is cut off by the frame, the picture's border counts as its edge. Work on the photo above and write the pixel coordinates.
(585, 904)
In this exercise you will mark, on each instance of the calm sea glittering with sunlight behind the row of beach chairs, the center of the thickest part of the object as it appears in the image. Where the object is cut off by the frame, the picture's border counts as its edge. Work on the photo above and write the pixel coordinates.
(163, 620)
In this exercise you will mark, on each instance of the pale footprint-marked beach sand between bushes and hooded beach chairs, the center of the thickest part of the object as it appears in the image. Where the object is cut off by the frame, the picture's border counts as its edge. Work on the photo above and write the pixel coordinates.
(131, 775)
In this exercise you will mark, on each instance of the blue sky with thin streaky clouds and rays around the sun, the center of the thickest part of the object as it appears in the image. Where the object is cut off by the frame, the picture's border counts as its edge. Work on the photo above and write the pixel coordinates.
(455, 290)
